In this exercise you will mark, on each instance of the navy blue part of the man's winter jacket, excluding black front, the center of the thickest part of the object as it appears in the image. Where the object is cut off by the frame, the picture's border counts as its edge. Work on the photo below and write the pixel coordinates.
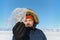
(36, 35)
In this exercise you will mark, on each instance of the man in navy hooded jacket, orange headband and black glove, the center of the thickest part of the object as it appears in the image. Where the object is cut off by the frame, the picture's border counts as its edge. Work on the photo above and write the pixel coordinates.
(27, 30)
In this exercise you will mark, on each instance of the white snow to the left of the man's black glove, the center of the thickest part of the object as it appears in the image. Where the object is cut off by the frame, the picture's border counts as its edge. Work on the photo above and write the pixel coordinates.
(6, 35)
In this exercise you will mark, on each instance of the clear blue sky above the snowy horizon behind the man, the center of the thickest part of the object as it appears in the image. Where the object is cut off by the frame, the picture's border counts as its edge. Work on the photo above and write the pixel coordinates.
(48, 11)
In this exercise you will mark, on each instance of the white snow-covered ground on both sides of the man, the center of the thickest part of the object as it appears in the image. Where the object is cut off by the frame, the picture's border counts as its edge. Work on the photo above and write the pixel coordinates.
(51, 35)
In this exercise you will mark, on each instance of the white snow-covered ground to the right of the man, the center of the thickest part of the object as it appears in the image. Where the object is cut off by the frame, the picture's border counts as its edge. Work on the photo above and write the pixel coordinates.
(52, 35)
